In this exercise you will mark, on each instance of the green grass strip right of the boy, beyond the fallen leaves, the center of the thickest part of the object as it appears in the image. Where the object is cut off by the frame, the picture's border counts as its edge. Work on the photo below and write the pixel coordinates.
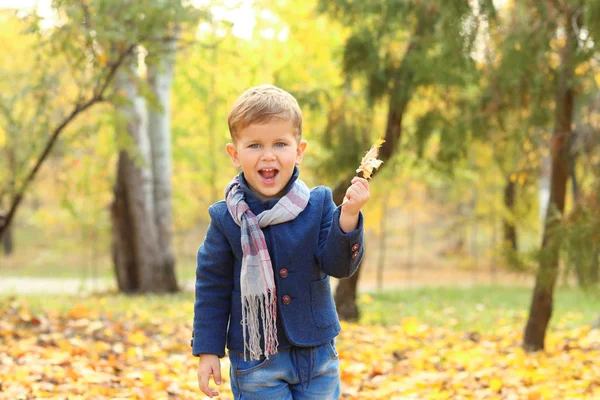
(476, 308)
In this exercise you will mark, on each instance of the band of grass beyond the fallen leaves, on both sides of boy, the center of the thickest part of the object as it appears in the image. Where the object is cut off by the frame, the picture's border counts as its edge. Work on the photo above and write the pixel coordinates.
(477, 308)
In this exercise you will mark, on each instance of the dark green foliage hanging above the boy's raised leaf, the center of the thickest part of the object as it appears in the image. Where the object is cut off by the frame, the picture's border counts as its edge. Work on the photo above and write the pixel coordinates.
(399, 47)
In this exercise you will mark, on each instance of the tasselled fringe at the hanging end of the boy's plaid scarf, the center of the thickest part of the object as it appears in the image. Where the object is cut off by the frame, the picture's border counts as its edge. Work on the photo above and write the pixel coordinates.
(266, 305)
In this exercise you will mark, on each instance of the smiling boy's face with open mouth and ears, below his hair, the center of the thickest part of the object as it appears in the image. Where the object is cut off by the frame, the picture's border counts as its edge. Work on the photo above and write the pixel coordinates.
(267, 153)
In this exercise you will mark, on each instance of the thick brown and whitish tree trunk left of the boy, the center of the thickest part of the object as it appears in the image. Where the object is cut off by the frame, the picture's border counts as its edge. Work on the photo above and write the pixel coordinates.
(138, 263)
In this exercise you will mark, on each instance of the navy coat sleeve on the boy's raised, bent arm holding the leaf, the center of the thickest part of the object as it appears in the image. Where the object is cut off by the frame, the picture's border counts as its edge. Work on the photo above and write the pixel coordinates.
(339, 253)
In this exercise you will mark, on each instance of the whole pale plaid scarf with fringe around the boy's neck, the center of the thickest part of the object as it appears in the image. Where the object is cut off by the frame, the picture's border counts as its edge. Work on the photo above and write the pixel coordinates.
(257, 282)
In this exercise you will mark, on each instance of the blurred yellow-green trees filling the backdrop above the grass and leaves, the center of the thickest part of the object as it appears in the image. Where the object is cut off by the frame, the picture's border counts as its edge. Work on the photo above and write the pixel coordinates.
(103, 102)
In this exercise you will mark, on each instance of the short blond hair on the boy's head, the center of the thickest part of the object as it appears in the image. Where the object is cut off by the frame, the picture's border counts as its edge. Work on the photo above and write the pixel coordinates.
(261, 104)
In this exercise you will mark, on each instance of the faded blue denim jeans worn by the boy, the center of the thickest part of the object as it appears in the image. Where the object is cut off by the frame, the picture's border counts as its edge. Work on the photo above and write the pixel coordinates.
(297, 373)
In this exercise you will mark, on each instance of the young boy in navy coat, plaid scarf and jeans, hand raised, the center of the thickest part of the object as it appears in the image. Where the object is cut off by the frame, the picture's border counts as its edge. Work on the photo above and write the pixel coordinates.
(262, 279)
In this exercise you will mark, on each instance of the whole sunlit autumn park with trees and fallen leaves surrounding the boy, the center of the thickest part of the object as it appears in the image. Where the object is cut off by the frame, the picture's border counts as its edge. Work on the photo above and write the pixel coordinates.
(480, 277)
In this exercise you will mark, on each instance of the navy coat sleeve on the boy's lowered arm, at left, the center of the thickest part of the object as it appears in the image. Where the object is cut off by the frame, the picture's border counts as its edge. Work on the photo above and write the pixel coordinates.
(214, 284)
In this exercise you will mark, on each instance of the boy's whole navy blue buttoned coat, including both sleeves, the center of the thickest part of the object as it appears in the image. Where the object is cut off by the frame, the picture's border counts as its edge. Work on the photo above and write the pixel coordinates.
(304, 253)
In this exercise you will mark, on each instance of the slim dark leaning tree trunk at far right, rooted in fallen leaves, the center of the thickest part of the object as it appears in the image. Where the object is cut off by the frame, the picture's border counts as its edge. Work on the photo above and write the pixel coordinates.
(542, 299)
